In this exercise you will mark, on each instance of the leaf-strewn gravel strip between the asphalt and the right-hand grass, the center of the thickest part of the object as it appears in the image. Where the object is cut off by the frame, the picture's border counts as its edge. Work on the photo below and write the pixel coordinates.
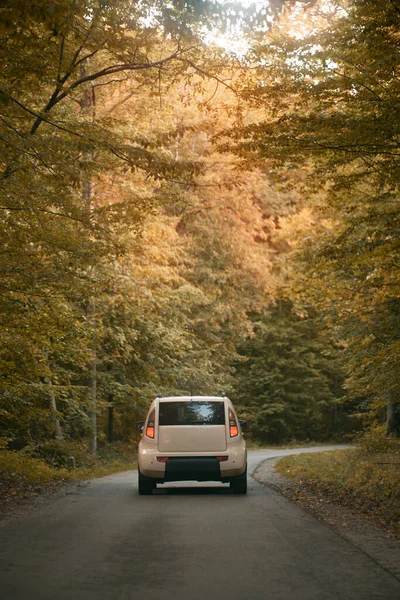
(371, 537)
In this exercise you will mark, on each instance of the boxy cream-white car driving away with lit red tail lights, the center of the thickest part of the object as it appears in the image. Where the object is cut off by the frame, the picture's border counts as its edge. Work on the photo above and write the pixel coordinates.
(197, 438)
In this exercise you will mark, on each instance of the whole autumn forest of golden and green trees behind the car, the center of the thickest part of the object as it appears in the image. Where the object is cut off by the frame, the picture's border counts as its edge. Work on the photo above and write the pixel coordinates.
(198, 197)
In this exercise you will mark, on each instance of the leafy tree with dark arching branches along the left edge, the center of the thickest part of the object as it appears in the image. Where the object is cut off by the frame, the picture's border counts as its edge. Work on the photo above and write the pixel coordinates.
(55, 243)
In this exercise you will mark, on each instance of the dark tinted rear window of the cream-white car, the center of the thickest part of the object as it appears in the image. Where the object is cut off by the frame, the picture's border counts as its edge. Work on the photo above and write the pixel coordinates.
(192, 413)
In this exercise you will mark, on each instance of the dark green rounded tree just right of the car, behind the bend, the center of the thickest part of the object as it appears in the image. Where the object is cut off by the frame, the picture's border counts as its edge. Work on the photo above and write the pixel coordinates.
(288, 378)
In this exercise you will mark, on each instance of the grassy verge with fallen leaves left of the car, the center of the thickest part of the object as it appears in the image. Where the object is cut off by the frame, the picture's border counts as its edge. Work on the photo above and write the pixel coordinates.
(23, 476)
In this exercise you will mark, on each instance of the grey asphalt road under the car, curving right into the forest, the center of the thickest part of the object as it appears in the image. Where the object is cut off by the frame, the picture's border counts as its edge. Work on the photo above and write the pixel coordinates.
(105, 542)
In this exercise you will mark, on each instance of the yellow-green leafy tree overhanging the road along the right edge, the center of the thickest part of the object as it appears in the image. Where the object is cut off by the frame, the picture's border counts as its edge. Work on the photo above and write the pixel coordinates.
(338, 121)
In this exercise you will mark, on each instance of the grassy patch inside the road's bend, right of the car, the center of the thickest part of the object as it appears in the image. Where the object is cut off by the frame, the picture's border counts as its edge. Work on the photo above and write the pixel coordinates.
(365, 478)
